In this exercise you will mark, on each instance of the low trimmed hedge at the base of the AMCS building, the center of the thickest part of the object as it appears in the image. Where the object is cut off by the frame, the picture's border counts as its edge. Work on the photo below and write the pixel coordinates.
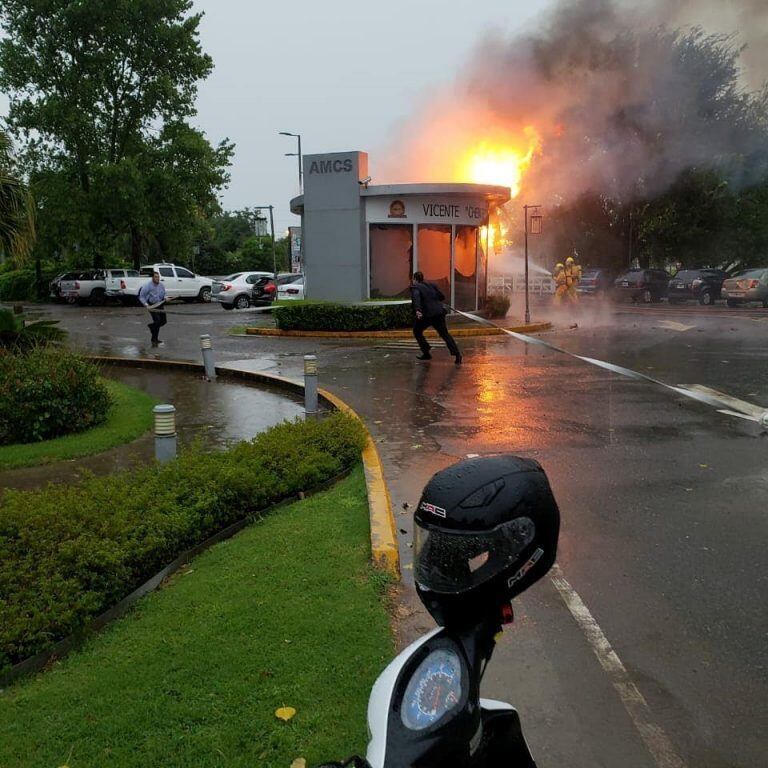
(343, 317)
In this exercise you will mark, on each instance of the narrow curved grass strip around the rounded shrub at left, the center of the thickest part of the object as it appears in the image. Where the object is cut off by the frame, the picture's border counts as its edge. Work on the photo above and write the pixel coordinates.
(129, 417)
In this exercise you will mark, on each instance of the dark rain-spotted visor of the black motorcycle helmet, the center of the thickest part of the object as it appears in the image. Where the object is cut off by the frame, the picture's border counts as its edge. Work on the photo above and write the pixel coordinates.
(452, 562)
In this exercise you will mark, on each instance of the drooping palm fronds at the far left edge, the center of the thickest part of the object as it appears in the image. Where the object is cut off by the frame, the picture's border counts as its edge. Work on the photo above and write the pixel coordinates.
(17, 223)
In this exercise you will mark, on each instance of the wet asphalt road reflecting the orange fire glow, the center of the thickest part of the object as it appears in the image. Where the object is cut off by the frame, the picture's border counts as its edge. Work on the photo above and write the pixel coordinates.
(663, 505)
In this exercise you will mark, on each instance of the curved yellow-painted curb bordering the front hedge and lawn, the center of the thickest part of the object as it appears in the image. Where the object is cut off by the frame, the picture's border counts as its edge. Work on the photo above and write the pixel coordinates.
(384, 549)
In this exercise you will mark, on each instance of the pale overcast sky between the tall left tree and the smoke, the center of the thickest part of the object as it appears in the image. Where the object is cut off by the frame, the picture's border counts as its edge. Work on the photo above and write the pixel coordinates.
(343, 73)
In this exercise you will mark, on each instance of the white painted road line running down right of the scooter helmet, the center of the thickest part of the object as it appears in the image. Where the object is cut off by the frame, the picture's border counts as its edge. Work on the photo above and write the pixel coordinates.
(654, 737)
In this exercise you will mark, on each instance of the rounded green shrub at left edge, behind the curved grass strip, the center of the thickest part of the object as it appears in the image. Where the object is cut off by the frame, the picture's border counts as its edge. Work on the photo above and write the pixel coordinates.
(48, 392)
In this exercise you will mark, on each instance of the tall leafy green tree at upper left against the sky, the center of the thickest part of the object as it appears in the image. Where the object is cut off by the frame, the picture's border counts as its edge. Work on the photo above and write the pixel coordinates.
(100, 94)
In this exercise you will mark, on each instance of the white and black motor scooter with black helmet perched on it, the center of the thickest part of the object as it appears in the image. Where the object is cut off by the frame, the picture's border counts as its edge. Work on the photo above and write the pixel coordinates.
(425, 709)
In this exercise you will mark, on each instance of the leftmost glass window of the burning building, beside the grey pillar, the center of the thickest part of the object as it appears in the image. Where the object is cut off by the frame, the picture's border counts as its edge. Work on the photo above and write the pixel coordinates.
(391, 248)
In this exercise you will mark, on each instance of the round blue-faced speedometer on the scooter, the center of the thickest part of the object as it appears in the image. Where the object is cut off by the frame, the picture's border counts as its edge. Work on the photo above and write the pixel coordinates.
(433, 690)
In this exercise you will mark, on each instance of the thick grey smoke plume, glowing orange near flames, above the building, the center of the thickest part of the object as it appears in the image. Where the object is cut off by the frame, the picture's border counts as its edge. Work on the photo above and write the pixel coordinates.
(619, 100)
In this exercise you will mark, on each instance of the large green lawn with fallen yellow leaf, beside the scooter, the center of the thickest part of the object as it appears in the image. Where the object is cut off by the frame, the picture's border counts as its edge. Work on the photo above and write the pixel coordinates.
(287, 613)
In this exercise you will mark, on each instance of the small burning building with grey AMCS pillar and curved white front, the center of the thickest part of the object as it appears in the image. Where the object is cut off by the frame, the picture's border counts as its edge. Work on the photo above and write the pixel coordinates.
(363, 241)
